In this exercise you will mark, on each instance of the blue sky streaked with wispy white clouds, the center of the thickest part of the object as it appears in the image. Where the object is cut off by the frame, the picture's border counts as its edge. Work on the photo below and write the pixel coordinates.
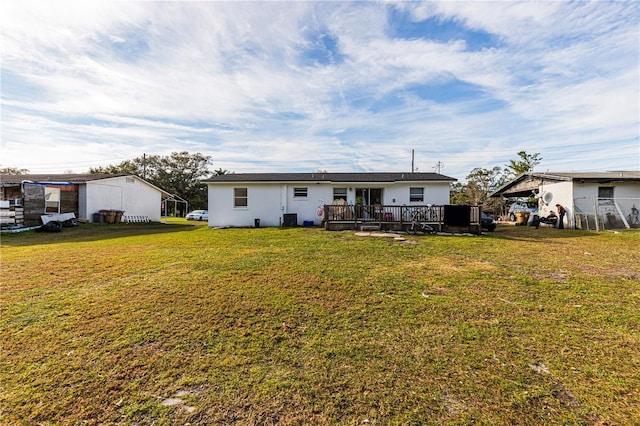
(337, 86)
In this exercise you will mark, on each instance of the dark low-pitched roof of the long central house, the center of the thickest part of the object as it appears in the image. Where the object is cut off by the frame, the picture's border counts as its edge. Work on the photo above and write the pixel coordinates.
(330, 177)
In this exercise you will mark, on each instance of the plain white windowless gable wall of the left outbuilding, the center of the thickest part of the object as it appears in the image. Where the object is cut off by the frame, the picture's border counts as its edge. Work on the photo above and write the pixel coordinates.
(130, 194)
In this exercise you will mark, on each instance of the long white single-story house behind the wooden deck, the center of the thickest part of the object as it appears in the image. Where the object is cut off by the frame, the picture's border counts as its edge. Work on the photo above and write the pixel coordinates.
(275, 199)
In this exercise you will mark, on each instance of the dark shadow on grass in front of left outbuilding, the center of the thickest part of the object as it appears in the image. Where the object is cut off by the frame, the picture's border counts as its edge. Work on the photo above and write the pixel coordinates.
(92, 232)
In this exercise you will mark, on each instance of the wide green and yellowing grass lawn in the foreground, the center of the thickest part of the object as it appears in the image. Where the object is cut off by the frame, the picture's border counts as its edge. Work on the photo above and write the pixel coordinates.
(181, 324)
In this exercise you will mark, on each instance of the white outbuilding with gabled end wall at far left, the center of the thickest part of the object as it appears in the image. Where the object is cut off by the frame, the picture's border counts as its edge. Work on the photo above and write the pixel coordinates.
(83, 194)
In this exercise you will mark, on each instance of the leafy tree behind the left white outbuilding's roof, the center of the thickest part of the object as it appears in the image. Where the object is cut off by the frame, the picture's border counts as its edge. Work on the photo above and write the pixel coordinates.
(179, 173)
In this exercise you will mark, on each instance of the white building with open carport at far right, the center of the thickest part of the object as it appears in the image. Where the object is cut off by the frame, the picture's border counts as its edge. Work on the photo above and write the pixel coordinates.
(593, 200)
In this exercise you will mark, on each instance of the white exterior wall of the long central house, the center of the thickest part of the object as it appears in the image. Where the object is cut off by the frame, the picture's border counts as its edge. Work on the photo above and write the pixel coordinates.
(269, 201)
